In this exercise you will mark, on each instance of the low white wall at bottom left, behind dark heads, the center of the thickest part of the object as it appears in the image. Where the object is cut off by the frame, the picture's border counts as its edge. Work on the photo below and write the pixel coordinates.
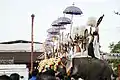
(20, 69)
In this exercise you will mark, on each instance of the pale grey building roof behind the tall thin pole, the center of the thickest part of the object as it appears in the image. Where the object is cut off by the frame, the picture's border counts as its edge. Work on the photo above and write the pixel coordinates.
(20, 46)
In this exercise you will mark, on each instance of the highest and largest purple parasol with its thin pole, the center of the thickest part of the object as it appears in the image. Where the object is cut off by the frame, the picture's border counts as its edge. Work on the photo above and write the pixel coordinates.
(73, 11)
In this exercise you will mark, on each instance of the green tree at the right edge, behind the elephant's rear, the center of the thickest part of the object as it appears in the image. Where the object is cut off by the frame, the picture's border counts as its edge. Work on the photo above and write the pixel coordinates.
(115, 48)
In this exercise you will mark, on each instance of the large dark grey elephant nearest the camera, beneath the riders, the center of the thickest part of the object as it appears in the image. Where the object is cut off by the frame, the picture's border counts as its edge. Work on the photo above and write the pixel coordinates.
(89, 68)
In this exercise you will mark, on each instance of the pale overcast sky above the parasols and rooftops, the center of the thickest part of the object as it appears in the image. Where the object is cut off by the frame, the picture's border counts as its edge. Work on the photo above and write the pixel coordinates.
(15, 18)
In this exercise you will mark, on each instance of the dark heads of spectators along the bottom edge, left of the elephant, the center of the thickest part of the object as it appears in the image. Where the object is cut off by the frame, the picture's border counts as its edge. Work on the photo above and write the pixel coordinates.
(47, 75)
